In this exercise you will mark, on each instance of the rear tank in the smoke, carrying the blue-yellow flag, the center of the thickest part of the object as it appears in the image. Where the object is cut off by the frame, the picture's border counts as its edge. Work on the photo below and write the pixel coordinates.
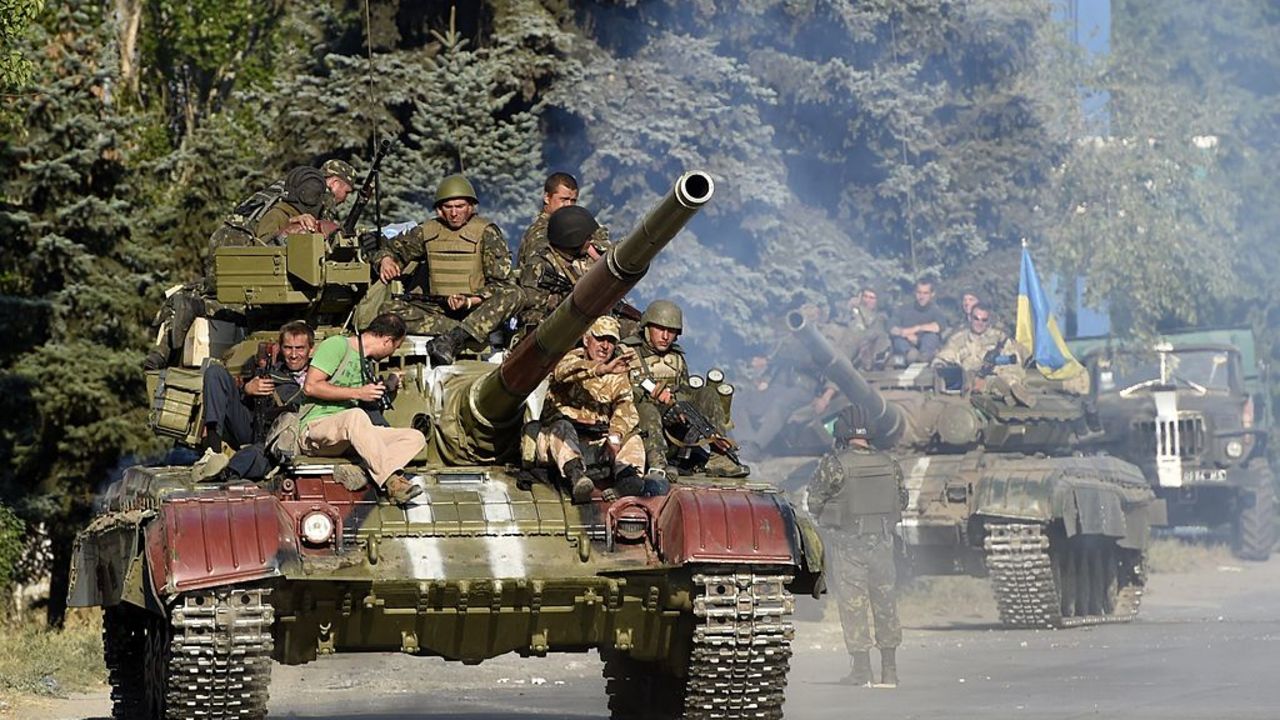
(1003, 490)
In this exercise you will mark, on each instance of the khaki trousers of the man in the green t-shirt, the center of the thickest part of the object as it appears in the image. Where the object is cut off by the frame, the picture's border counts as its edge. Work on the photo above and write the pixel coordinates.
(385, 450)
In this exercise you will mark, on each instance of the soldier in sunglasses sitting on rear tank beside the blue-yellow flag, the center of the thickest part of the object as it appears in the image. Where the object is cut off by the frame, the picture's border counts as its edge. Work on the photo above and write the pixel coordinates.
(989, 358)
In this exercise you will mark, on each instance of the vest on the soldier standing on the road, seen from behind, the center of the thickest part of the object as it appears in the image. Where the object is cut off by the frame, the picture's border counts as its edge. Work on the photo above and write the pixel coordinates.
(870, 502)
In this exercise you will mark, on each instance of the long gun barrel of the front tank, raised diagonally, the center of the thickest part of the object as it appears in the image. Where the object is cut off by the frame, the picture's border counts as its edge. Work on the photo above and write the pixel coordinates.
(499, 397)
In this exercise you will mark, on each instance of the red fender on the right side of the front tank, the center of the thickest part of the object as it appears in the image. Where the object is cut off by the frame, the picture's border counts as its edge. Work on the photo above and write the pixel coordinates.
(728, 526)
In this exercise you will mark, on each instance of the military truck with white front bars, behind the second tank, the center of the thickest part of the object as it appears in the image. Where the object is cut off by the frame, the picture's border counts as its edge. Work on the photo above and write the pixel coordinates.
(1192, 412)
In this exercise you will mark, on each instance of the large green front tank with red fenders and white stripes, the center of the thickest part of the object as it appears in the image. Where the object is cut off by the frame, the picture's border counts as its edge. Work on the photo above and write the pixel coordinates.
(688, 598)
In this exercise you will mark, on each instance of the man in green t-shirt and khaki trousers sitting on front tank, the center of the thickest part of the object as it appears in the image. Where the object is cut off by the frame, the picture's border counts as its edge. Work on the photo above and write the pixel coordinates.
(335, 423)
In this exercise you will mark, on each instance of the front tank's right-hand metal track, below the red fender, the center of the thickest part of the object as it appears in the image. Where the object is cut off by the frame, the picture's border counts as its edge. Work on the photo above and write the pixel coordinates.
(742, 646)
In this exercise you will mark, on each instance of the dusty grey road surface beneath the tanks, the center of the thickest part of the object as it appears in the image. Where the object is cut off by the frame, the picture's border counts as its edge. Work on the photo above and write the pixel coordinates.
(1205, 646)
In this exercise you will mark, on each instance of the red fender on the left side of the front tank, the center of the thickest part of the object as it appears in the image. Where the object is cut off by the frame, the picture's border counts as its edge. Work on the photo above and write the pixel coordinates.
(212, 540)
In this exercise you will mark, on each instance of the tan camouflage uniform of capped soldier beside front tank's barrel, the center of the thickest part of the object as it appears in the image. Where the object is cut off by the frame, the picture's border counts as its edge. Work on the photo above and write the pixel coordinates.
(582, 411)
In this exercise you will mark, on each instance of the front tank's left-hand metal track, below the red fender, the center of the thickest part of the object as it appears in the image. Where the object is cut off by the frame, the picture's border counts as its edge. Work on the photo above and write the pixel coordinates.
(220, 662)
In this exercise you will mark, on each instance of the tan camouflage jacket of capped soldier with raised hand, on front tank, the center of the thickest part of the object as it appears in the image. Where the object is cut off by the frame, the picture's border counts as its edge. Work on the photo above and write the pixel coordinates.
(577, 393)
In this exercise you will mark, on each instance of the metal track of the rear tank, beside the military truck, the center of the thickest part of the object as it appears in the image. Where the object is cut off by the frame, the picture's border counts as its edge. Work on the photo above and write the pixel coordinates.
(1027, 591)
